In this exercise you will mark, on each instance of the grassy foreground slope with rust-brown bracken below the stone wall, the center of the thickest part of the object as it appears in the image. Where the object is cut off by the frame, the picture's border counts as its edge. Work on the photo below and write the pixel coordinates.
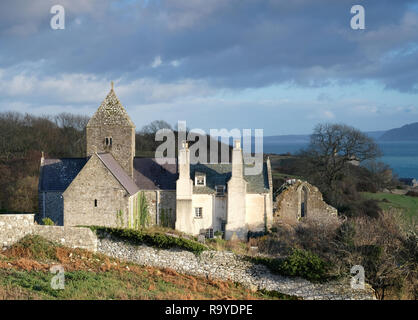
(24, 274)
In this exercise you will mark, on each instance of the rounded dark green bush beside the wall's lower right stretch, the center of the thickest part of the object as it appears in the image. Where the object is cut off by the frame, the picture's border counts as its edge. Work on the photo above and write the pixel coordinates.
(300, 263)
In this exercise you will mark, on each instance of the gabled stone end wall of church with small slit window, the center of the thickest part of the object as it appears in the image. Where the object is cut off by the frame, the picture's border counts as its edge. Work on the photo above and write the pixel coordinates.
(95, 182)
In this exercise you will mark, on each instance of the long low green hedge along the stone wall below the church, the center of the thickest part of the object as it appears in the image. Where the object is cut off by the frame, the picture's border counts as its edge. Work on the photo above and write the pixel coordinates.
(154, 239)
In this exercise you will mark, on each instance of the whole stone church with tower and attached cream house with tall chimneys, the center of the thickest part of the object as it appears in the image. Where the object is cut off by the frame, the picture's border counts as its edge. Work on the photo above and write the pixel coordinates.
(104, 187)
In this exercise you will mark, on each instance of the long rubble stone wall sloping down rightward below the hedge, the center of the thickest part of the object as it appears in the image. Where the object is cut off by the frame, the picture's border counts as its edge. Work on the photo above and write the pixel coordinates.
(229, 266)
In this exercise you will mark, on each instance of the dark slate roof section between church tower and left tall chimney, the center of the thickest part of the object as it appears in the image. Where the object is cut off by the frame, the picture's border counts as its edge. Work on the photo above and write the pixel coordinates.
(150, 175)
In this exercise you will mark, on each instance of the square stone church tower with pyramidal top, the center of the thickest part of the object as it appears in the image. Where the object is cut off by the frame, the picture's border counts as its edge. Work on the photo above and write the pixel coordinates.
(111, 130)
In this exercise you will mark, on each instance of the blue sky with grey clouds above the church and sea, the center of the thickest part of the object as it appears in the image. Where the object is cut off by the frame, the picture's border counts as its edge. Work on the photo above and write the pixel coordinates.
(278, 65)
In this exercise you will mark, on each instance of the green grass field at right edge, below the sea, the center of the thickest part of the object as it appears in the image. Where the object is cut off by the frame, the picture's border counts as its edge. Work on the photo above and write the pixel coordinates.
(409, 205)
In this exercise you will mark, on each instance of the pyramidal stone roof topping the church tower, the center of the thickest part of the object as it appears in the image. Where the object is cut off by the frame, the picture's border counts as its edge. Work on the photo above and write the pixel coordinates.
(111, 113)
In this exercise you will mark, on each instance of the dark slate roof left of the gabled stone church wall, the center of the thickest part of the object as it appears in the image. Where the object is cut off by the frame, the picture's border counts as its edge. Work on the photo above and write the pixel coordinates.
(57, 174)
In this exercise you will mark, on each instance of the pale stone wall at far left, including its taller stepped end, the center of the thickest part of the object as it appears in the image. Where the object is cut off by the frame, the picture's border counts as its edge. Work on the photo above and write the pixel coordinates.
(14, 227)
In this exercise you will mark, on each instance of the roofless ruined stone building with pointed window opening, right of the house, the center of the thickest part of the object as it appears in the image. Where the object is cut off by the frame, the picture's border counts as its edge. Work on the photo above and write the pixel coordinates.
(298, 200)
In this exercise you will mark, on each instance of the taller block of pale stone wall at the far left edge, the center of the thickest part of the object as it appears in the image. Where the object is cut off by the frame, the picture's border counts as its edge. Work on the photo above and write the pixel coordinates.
(14, 227)
